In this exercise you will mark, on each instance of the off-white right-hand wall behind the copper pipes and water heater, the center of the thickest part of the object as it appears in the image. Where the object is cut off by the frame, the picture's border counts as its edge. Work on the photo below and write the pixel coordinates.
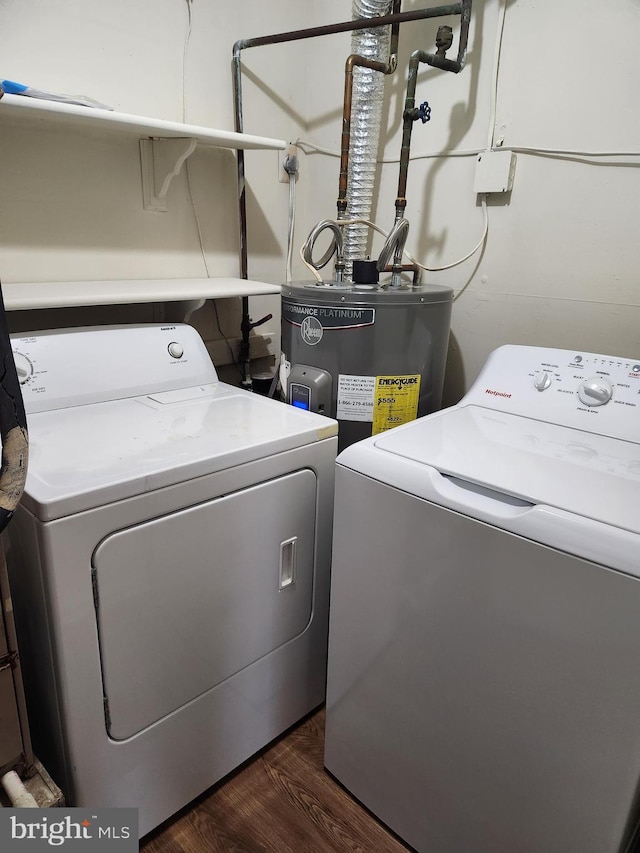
(561, 262)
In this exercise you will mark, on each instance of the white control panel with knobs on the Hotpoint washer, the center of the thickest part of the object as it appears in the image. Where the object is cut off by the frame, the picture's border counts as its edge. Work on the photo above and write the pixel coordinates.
(596, 393)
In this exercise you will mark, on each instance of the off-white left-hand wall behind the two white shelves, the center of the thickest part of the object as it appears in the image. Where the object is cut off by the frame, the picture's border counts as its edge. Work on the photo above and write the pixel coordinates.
(71, 202)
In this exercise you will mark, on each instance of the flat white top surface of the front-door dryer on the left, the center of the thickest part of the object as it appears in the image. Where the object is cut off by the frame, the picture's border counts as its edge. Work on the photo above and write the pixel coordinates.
(88, 456)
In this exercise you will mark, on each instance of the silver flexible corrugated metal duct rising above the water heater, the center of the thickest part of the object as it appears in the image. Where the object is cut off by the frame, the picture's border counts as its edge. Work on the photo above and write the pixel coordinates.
(366, 117)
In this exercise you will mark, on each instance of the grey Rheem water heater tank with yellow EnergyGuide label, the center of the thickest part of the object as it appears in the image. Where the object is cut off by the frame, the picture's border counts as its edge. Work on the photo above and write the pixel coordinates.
(370, 356)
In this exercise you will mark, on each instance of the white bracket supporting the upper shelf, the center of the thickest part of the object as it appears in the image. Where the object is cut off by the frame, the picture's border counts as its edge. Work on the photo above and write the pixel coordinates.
(161, 159)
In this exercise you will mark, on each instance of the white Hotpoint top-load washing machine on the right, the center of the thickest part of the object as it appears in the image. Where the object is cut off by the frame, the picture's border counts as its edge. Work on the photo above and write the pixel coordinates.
(484, 644)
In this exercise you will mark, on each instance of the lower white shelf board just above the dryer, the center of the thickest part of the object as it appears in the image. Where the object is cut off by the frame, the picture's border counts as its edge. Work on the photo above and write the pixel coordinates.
(20, 296)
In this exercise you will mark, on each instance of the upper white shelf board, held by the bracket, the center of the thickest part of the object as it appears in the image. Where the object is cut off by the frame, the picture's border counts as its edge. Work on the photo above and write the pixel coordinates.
(20, 109)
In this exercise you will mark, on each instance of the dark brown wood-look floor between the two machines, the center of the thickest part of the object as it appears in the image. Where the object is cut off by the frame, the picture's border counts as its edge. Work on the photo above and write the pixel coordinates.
(283, 801)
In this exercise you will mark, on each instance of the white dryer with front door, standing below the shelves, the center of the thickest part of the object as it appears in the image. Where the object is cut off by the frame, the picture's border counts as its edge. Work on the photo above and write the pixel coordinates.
(169, 565)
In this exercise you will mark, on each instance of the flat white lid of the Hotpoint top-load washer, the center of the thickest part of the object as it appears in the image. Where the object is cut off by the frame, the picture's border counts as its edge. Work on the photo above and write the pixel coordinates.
(590, 475)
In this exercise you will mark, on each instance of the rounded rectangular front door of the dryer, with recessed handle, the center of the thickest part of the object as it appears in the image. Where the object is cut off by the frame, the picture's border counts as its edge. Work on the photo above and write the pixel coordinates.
(185, 601)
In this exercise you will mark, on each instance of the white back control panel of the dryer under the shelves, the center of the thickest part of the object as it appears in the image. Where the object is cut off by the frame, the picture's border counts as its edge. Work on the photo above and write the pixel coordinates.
(71, 367)
